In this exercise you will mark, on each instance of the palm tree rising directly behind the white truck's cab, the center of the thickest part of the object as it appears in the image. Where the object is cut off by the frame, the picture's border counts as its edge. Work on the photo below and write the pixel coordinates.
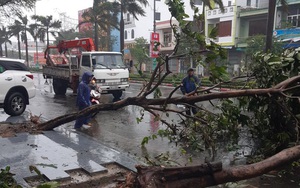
(104, 15)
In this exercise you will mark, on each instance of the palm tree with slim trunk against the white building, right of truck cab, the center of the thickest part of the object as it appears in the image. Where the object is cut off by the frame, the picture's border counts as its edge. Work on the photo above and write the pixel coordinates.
(132, 7)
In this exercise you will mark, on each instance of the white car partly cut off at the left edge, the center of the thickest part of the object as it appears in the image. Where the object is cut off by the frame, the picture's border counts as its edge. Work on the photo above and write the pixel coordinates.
(17, 86)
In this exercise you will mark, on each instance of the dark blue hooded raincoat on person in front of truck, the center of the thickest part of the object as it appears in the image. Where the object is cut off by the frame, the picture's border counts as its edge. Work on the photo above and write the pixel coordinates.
(83, 92)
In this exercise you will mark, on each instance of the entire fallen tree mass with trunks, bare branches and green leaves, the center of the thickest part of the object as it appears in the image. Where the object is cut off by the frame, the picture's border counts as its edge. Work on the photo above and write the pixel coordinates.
(269, 98)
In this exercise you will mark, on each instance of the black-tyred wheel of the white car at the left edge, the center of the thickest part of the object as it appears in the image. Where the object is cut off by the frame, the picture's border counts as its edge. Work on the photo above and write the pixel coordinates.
(15, 104)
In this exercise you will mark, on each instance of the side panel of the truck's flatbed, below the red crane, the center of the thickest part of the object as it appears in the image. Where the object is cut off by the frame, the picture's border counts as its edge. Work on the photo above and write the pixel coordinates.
(62, 72)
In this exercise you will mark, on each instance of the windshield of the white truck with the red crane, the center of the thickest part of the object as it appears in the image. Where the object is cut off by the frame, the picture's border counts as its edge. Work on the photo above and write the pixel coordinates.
(104, 61)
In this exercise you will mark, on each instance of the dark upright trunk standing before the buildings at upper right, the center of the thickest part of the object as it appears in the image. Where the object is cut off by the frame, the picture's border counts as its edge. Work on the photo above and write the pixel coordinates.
(270, 23)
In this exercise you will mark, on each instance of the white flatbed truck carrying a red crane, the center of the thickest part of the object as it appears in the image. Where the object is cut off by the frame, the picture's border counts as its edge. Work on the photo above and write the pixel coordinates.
(68, 60)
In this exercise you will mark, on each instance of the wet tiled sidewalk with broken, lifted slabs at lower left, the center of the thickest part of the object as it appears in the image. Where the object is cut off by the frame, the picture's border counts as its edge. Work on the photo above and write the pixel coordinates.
(66, 156)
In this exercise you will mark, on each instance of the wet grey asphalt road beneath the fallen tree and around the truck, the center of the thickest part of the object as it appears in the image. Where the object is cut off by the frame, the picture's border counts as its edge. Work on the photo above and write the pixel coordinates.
(117, 129)
